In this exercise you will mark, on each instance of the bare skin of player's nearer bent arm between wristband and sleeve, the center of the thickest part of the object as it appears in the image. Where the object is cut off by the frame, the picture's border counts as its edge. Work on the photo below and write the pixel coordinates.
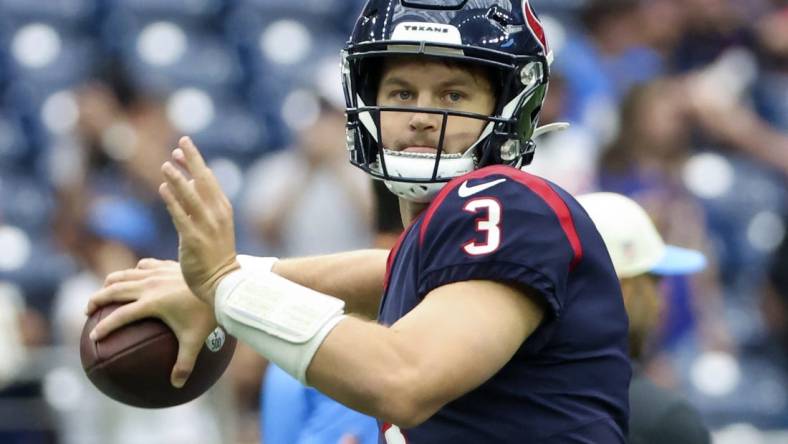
(405, 373)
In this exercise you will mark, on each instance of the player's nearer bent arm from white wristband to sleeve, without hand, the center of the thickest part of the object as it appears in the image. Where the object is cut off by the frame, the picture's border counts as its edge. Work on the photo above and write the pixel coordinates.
(402, 374)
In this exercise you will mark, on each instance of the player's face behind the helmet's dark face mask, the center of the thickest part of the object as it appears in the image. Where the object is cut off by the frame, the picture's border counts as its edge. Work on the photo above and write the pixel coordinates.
(425, 83)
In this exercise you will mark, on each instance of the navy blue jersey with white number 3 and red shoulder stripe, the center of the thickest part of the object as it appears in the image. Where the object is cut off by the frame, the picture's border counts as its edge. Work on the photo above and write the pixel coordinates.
(568, 382)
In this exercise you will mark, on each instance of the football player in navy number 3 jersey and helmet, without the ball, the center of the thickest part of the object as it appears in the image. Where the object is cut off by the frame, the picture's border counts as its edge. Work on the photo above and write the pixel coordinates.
(499, 315)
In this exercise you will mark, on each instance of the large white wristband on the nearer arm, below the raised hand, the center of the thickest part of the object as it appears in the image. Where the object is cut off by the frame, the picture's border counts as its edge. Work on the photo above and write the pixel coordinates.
(281, 320)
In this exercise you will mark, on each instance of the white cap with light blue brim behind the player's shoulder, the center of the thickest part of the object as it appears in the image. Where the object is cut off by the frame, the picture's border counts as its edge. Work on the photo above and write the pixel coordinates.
(633, 242)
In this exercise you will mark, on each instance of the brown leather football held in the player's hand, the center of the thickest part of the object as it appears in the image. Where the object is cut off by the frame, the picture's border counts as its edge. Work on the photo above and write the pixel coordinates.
(133, 364)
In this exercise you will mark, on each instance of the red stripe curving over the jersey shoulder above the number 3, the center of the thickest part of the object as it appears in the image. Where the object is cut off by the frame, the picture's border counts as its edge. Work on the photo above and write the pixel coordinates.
(535, 184)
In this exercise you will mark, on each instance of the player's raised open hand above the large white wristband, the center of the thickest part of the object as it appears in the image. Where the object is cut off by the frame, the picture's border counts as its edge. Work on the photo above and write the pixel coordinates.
(203, 216)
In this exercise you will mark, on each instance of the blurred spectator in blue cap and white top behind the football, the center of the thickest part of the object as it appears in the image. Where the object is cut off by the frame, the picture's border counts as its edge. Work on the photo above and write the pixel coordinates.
(114, 231)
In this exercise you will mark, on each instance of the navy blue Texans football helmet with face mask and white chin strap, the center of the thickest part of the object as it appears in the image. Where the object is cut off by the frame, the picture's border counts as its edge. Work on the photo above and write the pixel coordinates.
(503, 36)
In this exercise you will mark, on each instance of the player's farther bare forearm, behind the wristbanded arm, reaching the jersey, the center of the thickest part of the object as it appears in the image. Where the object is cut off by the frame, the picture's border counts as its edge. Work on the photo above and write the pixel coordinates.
(355, 277)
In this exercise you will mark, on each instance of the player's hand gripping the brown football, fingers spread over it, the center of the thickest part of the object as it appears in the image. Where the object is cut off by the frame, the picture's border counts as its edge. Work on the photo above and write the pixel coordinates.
(156, 289)
